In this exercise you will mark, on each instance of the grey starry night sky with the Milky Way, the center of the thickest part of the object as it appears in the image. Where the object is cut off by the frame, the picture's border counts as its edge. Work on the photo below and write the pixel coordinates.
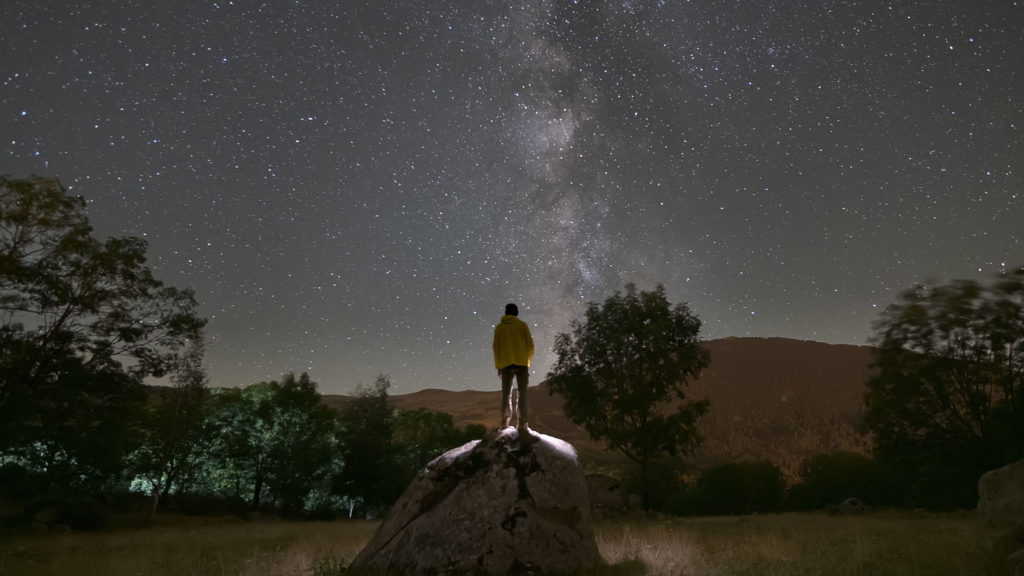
(358, 188)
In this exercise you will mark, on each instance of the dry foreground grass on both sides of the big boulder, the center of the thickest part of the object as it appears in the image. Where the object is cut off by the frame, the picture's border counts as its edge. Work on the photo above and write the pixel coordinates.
(891, 544)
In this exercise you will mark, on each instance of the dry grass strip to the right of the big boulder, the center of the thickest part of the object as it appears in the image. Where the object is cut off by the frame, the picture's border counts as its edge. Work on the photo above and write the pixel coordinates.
(891, 544)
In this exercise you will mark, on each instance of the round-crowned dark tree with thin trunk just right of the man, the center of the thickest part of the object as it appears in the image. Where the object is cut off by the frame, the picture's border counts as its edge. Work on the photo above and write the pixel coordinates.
(624, 367)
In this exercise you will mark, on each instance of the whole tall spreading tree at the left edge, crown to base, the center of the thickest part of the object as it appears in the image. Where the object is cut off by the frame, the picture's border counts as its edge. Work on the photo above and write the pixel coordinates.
(83, 322)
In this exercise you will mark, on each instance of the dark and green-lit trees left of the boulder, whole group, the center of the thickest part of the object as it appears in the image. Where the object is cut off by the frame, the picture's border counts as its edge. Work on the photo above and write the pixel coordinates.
(84, 323)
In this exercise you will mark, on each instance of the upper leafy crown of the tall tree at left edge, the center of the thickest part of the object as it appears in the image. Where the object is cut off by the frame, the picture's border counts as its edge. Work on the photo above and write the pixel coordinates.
(63, 290)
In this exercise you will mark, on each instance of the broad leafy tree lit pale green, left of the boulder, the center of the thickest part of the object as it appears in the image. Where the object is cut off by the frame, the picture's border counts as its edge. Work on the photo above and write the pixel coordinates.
(271, 439)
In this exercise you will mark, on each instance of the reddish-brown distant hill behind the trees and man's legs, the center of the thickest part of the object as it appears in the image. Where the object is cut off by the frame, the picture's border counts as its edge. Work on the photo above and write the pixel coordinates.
(771, 398)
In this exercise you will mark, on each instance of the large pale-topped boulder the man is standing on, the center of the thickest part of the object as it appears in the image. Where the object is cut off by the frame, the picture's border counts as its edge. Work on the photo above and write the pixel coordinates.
(507, 505)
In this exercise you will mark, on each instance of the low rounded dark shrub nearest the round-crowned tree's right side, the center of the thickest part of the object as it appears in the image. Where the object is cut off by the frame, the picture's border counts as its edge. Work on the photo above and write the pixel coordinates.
(741, 488)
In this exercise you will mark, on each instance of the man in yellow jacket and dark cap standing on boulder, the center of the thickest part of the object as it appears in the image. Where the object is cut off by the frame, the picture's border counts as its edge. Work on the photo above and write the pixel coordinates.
(514, 351)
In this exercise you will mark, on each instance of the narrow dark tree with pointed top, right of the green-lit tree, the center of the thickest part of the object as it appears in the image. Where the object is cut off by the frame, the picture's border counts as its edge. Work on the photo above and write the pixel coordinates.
(371, 471)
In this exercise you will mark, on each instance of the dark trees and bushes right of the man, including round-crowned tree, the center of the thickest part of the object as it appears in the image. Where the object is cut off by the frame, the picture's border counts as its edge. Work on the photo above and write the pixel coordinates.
(945, 406)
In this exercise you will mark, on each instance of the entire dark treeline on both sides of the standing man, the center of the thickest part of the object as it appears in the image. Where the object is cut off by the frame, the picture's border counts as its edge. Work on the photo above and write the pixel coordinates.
(86, 323)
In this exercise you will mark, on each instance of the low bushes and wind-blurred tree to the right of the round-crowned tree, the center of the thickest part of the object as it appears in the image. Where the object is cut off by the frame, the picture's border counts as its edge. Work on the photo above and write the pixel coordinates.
(946, 405)
